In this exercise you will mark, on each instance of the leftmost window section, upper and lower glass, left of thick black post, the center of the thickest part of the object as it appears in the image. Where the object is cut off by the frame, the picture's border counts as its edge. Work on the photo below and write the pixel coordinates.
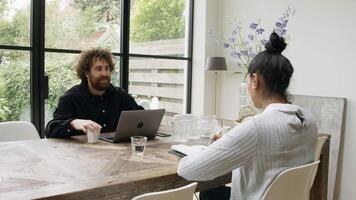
(15, 96)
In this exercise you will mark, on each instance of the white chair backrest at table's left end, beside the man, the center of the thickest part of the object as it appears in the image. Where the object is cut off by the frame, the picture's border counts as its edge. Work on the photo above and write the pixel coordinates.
(17, 130)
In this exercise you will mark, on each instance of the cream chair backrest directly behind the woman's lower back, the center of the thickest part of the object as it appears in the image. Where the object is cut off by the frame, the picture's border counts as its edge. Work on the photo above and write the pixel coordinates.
(293, 183)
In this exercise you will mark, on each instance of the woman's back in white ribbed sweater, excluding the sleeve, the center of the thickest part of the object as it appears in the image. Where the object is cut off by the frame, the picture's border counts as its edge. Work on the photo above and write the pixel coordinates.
(286, 137)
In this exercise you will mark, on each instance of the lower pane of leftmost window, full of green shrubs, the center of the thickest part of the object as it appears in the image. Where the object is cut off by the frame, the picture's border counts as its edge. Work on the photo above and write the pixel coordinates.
(15, 85)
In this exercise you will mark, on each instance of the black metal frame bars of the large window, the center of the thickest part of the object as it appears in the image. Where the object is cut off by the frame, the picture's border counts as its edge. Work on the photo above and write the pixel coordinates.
(39, 80)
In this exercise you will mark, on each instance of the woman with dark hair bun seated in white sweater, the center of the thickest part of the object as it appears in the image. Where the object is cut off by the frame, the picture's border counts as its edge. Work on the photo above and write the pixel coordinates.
(282, 136)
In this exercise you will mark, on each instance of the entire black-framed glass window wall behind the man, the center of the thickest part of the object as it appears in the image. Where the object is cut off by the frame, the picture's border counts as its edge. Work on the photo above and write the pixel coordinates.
(150, 40)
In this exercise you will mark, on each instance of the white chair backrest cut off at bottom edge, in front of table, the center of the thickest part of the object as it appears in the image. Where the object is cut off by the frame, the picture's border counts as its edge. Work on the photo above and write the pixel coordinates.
(182, 193)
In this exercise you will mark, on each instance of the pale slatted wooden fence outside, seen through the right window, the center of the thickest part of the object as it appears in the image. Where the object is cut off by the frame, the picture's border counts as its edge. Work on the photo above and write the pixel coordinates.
(161, 78)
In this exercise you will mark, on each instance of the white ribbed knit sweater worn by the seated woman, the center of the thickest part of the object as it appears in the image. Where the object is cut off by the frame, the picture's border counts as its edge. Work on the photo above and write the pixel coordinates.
(256, 151)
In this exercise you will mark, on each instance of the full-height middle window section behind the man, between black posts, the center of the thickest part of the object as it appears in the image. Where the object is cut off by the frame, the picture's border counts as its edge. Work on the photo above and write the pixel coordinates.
(73, 25)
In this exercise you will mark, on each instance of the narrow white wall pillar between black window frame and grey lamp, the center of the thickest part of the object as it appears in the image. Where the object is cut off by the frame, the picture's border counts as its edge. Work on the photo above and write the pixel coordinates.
(203, 83)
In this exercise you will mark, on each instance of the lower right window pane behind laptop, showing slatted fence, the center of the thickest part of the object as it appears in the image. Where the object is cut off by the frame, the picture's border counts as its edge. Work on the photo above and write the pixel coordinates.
(159, 79)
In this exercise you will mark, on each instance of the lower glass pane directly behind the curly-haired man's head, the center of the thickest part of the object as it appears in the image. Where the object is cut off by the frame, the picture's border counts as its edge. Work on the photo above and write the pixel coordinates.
(60, 69)
